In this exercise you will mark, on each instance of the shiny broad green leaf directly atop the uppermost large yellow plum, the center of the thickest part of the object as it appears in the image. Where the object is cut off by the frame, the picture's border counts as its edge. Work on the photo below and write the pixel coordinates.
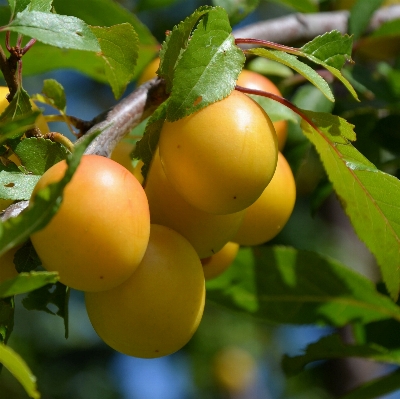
(209, 67)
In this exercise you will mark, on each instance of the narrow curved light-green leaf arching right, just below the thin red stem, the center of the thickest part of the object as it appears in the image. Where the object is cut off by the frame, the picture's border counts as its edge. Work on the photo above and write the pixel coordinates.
(292, 62)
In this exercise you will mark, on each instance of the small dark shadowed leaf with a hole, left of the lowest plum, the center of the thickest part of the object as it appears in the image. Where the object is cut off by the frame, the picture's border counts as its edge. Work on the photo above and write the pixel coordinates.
(57, 295)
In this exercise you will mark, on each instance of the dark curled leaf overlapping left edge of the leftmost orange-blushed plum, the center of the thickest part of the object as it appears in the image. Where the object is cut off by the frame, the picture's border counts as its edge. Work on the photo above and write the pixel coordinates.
(16, 230)
